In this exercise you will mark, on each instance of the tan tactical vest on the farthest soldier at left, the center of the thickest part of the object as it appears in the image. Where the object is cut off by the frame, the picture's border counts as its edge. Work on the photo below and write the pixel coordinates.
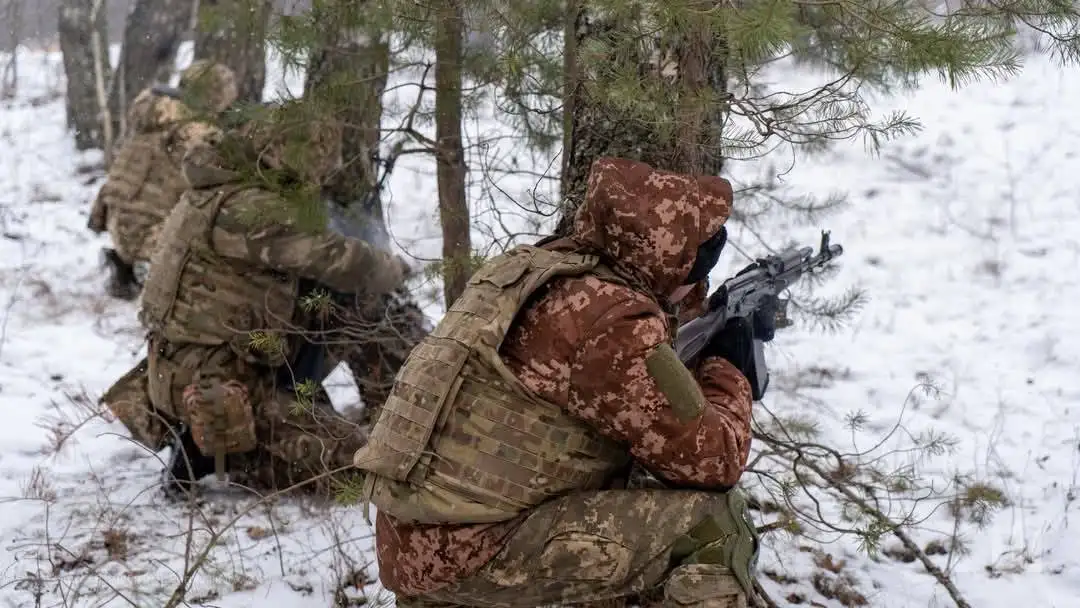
(145, 184)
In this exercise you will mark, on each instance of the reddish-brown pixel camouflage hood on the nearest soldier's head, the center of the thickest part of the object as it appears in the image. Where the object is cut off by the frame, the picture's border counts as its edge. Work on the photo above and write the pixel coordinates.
(651, 223)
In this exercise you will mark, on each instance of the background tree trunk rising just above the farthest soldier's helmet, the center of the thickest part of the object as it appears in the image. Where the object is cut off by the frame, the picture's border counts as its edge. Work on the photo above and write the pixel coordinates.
(233, 33)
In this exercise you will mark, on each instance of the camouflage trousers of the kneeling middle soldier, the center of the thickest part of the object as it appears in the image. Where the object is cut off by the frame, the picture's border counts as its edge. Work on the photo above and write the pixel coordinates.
(294, 441)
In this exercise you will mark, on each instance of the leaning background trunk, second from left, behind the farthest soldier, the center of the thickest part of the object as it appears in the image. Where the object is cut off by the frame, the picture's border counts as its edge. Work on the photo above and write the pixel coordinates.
(153, 34)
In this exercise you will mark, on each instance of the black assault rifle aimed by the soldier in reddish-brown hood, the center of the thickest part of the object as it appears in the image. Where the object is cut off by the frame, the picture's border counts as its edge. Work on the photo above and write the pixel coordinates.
(747, 293)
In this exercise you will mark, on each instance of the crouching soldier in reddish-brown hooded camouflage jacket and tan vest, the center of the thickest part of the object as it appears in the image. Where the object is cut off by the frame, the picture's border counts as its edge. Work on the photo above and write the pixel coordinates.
(493, 463)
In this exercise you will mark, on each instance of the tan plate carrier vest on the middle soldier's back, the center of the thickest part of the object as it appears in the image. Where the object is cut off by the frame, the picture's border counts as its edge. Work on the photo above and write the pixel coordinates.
(194, 296)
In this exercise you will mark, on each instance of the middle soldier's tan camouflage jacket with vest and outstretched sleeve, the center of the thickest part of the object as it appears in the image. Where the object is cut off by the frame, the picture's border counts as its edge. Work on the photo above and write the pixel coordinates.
(232, 258)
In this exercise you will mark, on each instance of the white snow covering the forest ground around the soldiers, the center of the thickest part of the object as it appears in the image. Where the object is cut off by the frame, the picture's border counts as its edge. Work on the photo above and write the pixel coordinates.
(966, 237)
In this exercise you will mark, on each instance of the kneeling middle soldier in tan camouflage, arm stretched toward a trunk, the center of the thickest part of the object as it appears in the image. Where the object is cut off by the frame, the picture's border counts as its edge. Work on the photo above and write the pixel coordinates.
(221, 303)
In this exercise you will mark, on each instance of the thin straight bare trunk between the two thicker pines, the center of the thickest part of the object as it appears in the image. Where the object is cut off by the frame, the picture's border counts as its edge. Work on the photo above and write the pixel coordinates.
(450, 152)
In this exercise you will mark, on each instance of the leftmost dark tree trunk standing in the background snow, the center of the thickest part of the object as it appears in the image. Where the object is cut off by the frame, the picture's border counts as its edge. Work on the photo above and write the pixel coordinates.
(79, 26)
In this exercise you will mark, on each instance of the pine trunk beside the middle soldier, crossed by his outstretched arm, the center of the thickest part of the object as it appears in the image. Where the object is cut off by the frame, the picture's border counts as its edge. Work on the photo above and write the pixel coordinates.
(350, 70)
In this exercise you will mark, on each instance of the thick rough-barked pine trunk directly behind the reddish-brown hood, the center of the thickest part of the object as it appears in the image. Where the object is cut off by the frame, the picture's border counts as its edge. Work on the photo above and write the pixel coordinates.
(687, 63)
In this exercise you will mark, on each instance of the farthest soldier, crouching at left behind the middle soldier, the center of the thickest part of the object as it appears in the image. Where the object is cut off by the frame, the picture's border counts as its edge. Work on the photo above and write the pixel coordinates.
(145, 181)
